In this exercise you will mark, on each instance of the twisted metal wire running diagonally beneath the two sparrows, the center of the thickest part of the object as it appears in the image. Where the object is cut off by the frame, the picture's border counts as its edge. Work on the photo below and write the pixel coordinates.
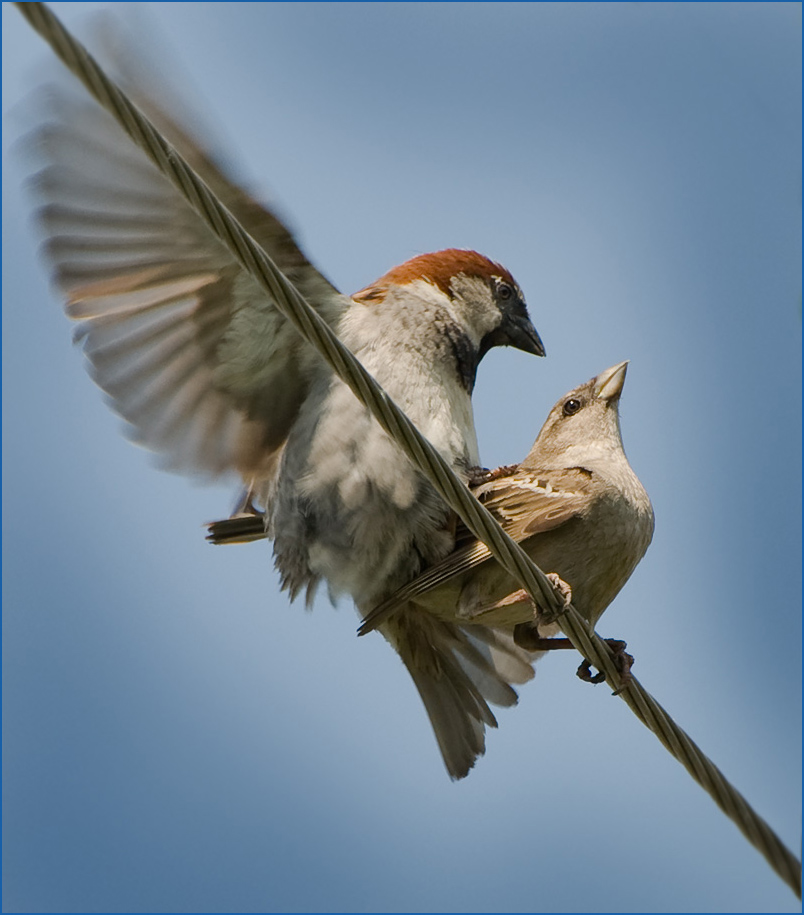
(290, 302)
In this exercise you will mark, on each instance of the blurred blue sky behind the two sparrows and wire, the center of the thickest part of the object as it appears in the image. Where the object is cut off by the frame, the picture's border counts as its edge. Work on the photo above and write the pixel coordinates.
(177, 737)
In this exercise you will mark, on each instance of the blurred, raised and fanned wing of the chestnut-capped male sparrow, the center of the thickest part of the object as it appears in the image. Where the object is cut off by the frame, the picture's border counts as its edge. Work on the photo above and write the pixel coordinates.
(190, 352)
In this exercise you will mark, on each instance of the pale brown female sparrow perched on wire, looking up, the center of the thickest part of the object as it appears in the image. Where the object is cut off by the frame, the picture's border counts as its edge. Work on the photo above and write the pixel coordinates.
(578, 510)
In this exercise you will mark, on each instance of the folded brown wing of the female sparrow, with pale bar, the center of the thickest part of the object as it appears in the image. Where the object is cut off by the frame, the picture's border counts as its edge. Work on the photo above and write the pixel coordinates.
(525, 503)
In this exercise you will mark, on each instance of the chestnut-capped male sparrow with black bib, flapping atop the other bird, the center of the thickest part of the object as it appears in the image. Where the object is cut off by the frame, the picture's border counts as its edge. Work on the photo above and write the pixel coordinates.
(209, 375)
